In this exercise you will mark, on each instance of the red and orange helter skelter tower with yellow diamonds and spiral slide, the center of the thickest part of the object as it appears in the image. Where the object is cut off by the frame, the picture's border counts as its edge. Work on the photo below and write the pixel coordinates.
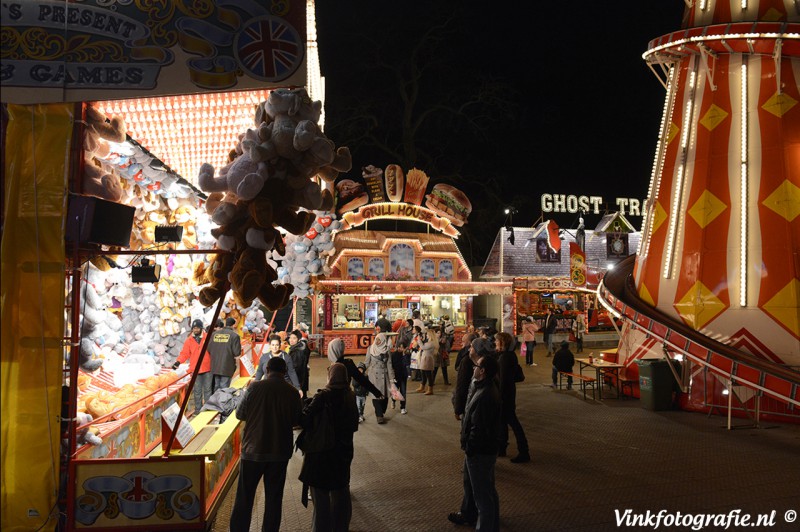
(717, 277)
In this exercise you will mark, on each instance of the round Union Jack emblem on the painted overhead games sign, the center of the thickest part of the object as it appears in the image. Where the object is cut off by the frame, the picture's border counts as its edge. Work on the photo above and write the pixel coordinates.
(269, 49)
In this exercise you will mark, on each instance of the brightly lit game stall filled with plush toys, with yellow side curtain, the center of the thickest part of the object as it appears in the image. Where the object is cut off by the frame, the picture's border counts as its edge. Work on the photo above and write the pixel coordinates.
(91, 329)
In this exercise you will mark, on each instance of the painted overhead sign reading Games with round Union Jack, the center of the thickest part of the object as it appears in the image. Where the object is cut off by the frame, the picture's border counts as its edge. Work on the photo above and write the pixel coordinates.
(74, 51)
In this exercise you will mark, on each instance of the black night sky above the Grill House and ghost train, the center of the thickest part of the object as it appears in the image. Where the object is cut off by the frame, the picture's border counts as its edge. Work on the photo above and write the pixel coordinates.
(582, 108)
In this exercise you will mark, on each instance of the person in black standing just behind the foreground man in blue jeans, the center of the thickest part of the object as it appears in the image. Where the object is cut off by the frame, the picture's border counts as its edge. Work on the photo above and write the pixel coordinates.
(507, 361)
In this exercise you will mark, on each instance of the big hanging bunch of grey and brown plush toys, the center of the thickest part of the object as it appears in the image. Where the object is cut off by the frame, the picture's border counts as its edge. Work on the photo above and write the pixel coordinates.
(267, 184)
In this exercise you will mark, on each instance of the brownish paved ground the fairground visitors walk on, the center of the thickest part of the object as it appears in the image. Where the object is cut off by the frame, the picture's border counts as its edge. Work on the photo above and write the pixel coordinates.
(590, 459)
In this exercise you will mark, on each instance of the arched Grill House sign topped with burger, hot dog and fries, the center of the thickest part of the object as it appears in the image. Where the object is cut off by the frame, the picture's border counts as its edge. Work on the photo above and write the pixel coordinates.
(445, 207)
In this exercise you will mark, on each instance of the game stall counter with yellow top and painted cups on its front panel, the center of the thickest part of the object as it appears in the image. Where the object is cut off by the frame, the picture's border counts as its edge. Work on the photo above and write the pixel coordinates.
(182, 491)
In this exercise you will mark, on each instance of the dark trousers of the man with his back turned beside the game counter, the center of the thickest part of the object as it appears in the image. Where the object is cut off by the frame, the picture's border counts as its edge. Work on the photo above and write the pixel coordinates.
(250, 473)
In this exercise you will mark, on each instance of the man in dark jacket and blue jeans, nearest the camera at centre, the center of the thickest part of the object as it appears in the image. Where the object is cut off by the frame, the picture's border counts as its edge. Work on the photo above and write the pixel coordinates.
(480, 426)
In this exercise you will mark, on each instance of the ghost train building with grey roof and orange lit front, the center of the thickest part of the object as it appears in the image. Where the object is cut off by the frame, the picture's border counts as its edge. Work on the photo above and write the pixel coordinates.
(560, 269)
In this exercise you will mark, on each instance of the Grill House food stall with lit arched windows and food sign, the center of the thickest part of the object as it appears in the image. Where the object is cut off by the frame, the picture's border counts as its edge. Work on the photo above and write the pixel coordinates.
(395, 273)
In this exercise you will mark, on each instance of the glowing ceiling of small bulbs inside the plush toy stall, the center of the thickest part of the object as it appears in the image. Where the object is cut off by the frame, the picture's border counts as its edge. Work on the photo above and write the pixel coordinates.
(188, 130)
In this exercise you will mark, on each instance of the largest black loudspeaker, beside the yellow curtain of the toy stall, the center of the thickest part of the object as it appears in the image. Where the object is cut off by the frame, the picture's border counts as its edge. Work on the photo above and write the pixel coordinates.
(92, 220)
